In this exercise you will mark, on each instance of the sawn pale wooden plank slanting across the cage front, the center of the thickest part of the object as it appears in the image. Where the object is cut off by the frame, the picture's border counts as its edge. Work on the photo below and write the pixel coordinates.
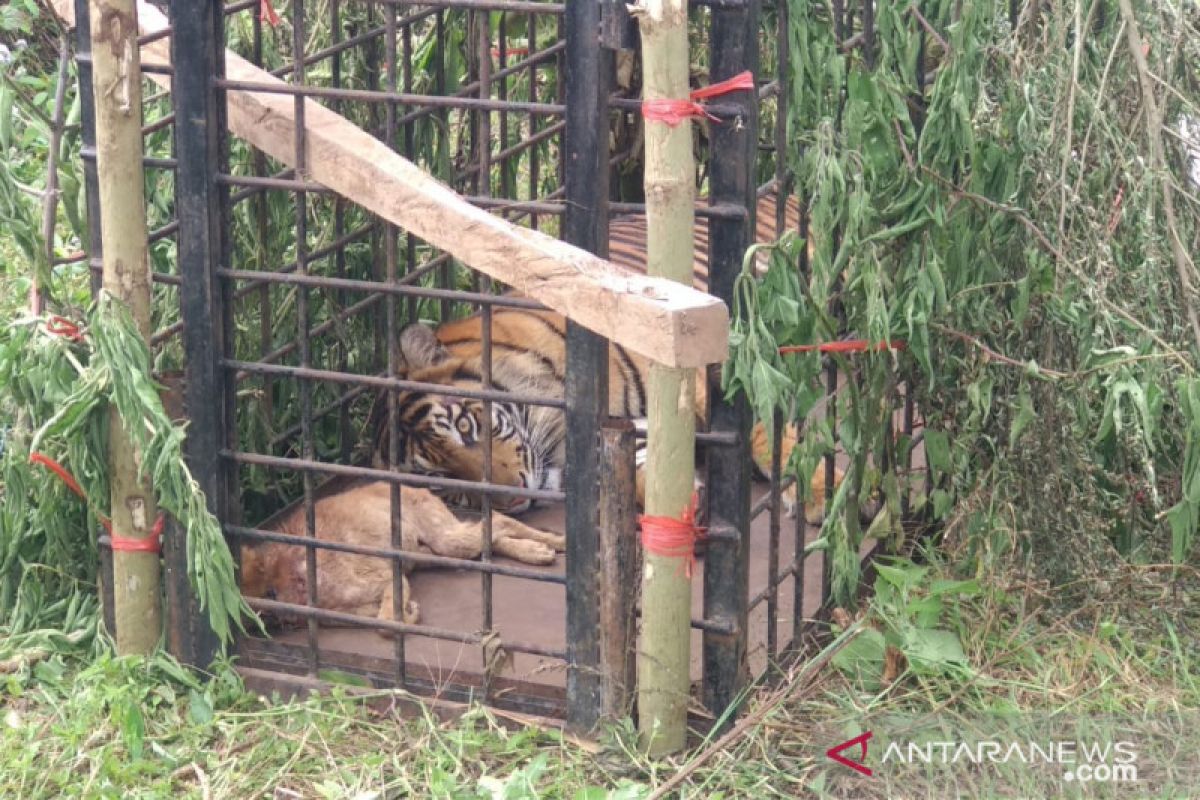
(671, 324)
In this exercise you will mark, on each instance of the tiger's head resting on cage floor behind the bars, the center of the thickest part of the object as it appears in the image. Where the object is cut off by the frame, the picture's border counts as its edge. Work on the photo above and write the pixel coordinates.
(443, 436)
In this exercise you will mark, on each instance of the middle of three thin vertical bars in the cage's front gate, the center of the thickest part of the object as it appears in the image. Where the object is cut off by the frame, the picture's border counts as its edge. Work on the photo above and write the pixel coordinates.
(394, 362)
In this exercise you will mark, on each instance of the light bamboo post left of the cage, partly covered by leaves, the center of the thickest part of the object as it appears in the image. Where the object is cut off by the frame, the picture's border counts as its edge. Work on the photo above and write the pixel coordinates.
(117, 87)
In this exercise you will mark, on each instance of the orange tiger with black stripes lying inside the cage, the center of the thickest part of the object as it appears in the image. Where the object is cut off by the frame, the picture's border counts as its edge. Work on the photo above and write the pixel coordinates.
(441, 435)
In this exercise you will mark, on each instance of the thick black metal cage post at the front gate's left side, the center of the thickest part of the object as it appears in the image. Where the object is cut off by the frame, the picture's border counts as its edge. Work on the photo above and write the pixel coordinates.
(197, 51)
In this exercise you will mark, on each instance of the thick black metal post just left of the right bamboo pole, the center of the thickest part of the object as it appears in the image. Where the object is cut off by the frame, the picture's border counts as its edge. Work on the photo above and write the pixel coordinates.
(589, 74)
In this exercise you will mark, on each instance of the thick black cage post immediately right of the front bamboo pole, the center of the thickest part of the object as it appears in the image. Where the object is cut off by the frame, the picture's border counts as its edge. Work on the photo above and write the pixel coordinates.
(734, 47)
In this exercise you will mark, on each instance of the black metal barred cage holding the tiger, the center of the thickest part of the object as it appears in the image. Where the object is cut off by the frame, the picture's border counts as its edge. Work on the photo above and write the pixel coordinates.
(525, 133)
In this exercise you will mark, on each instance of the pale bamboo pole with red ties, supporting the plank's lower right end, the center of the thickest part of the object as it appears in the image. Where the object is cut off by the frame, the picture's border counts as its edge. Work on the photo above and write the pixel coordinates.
(664, 663)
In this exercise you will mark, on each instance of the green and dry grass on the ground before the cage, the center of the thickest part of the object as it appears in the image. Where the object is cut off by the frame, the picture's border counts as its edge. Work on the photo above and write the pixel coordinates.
(147, 729)
